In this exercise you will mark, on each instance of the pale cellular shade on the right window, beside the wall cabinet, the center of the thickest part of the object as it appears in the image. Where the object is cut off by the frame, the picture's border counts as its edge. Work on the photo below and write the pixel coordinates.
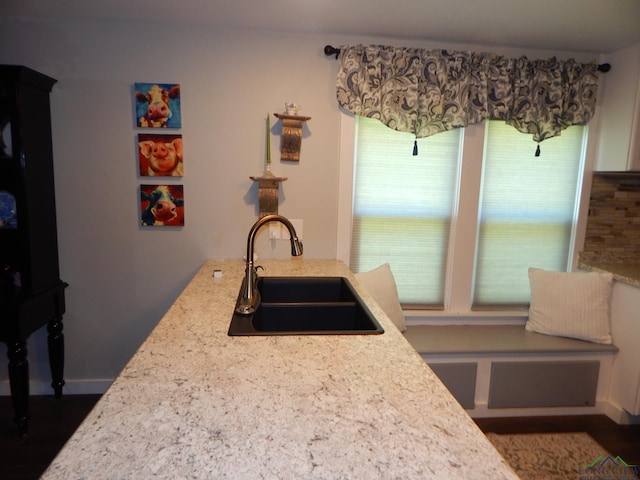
(527, 211)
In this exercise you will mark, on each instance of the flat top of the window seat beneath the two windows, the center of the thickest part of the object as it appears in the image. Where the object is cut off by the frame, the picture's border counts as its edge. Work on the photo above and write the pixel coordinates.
(499, 339)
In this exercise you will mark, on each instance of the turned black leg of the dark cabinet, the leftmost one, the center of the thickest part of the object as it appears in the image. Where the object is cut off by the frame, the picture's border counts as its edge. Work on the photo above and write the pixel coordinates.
(19, 382)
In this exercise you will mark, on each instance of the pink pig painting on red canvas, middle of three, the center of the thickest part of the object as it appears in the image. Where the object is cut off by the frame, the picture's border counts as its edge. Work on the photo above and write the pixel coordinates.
(160, 155)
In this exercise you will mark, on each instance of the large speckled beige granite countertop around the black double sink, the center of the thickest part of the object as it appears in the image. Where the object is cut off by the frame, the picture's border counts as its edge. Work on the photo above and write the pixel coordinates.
(196, 403)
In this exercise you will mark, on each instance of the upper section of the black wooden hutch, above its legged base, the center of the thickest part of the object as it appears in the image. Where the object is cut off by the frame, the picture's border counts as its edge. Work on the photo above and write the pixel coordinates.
(28, 241)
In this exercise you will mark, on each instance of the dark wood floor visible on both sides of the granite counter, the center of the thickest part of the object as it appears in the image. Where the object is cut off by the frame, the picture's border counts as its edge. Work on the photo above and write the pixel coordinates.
(53, 421)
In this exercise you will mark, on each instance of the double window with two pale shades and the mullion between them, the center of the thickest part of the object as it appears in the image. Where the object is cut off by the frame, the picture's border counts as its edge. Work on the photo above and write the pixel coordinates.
(461, 222)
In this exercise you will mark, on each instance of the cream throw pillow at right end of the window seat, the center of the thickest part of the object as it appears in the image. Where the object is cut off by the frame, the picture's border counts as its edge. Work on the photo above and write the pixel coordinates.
(570, 304)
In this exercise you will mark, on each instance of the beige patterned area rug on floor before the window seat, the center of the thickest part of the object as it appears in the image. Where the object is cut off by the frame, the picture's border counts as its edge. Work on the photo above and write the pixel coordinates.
(559, 456)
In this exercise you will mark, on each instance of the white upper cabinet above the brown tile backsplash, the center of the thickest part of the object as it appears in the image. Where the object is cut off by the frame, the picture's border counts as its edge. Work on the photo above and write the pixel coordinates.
(619, 112)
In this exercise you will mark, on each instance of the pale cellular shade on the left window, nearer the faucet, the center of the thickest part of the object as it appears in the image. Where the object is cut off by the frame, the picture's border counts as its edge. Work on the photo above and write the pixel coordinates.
(402, 207)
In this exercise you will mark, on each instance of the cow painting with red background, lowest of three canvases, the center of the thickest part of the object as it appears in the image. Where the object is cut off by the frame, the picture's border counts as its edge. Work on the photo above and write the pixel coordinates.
(161, 205)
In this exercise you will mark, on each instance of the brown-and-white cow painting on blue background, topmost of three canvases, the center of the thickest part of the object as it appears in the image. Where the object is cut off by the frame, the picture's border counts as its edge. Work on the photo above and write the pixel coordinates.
(157, 105)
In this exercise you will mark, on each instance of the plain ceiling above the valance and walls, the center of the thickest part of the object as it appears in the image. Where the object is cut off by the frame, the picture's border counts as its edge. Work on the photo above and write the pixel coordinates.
(596, 26)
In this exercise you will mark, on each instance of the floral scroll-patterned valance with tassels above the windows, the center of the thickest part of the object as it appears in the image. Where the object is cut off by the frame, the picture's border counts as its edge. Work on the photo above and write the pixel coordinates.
(425, 92)
